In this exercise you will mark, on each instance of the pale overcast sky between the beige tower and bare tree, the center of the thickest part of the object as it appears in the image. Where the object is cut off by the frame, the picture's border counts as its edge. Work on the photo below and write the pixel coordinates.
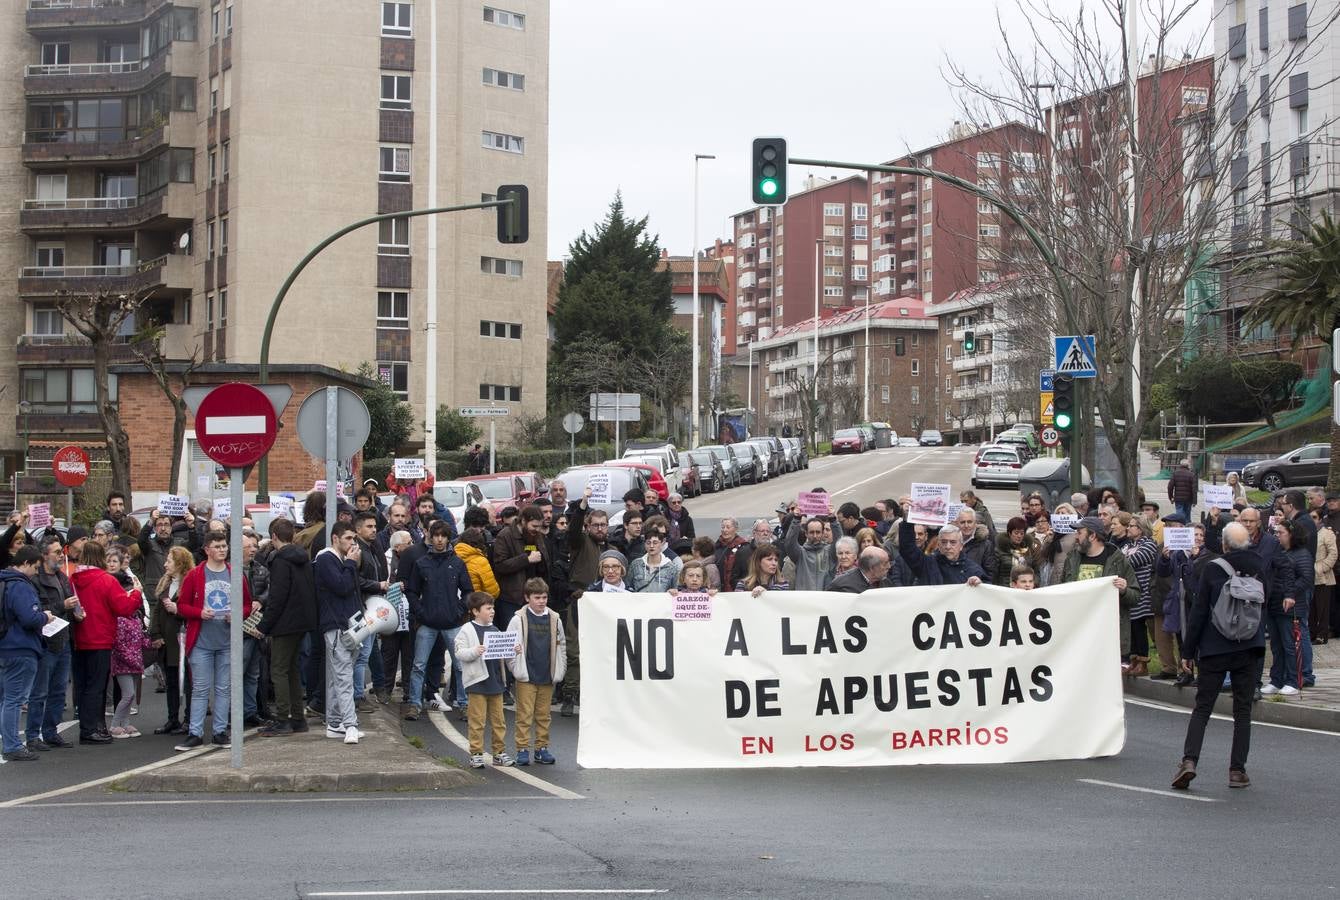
(640, 86)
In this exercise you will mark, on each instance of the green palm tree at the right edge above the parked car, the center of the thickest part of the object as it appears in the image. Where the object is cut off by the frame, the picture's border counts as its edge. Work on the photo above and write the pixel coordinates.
(1307, 302)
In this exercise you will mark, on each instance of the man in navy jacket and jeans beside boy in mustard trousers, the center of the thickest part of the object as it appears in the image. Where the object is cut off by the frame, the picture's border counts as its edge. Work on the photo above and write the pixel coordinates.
(438, 590)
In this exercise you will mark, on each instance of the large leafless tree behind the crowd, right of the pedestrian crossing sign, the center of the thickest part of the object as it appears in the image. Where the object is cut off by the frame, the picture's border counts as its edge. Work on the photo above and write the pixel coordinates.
(1132, 199)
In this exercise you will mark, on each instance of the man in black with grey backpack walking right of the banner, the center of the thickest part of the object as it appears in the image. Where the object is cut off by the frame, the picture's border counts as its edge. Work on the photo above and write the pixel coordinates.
(1219, 656)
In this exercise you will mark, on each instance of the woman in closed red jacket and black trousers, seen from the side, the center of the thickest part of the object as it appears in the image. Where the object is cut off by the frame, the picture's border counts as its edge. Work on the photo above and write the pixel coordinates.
(101, 602)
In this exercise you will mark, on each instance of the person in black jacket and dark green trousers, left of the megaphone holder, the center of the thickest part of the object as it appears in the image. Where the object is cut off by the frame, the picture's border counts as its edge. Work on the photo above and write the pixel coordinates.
(290, 614)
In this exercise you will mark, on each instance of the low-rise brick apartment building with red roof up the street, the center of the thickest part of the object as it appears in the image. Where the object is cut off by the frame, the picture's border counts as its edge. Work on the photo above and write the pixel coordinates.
(898, 337)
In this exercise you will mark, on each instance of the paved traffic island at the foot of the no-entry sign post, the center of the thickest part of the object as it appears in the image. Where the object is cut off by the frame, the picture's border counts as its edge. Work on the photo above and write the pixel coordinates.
(383, 760)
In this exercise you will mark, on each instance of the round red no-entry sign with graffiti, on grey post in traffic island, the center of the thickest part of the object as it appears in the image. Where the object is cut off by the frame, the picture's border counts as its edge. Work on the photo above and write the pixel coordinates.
(237, 425)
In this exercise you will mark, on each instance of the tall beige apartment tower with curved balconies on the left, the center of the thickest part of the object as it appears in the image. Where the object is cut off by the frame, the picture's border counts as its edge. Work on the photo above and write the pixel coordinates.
(191, 153)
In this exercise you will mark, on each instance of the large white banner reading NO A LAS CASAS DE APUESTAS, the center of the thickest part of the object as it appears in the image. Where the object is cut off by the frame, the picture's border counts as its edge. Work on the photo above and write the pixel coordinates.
(890, 677)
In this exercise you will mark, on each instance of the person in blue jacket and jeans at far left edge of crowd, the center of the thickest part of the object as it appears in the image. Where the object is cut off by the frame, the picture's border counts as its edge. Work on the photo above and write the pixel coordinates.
(22, 645)
